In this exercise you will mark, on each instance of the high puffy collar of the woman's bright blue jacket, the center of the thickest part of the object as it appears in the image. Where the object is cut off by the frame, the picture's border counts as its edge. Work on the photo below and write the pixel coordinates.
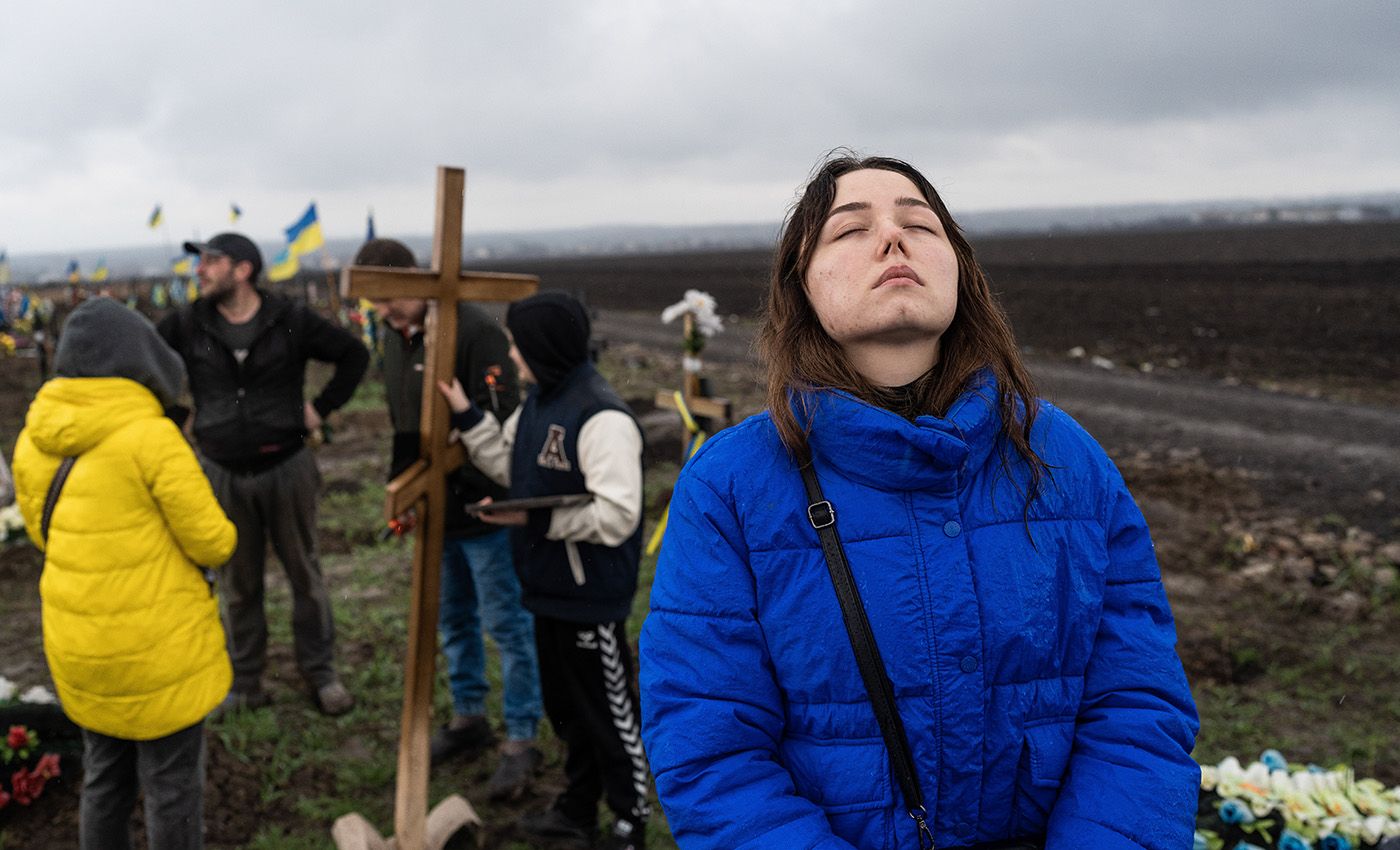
(880, 449)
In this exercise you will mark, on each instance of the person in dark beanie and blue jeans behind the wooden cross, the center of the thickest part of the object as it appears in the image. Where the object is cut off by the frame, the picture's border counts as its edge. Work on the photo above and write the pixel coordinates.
(479, 585)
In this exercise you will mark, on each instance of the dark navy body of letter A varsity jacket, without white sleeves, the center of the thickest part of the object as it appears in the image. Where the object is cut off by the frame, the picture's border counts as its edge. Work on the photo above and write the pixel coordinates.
(545, 463)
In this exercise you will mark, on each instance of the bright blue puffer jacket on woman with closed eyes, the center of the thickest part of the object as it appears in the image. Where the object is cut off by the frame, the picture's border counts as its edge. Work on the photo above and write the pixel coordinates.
(1032, 656)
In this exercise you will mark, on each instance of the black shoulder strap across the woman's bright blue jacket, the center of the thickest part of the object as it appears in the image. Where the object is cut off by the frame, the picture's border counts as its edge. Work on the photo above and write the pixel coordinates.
(822, 517)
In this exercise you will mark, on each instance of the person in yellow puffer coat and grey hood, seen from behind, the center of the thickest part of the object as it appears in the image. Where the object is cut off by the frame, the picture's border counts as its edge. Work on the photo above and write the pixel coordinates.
(131, 622)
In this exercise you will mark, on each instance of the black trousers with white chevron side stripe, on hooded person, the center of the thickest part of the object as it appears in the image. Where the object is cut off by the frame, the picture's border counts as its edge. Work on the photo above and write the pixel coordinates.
(586, 674)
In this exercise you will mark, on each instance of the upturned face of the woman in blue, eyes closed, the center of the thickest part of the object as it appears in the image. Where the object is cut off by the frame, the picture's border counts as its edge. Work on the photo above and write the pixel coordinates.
(884, 277)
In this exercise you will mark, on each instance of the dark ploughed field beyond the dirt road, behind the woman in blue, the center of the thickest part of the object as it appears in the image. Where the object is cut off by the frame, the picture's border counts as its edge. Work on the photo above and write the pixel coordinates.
(1315, 305)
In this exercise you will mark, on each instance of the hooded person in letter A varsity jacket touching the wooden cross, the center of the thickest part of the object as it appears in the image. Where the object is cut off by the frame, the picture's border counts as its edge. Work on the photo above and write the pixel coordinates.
(577, 564)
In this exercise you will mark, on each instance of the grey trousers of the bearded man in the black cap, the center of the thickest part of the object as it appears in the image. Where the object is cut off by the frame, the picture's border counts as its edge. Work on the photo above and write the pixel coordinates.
(276, 506)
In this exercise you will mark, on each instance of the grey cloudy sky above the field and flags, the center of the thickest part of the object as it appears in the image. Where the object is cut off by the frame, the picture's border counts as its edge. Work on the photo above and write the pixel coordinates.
(668, 113)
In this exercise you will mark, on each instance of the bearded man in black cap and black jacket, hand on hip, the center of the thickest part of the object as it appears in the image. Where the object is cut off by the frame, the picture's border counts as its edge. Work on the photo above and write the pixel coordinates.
(247, 354)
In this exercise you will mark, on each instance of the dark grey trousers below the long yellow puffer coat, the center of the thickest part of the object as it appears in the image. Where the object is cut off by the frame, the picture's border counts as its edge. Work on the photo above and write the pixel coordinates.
(171, 774)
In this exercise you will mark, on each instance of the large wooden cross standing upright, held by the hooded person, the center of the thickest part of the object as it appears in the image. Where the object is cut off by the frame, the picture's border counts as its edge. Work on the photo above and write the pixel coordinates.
(423, 485)
